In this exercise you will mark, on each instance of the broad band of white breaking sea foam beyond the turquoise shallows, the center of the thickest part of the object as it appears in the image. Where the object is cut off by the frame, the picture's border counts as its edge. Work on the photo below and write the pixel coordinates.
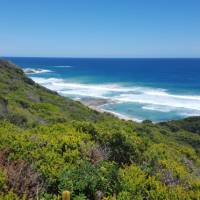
(156, 99)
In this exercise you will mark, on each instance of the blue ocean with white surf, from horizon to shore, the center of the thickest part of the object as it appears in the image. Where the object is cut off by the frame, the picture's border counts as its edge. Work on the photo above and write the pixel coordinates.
(139, 89)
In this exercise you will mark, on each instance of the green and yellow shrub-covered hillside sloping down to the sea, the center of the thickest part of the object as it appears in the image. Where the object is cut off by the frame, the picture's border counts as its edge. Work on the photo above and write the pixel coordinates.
(49, 144)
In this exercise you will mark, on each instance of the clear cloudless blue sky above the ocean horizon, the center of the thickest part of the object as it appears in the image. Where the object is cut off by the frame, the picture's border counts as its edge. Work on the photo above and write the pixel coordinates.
(100, 28)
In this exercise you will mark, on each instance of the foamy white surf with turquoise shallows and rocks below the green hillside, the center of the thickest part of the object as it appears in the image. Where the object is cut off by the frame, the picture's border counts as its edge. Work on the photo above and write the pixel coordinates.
(155, 104)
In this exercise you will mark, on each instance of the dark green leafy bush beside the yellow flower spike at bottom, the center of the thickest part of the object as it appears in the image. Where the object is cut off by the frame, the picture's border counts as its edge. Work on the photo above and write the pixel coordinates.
(88, 179)
